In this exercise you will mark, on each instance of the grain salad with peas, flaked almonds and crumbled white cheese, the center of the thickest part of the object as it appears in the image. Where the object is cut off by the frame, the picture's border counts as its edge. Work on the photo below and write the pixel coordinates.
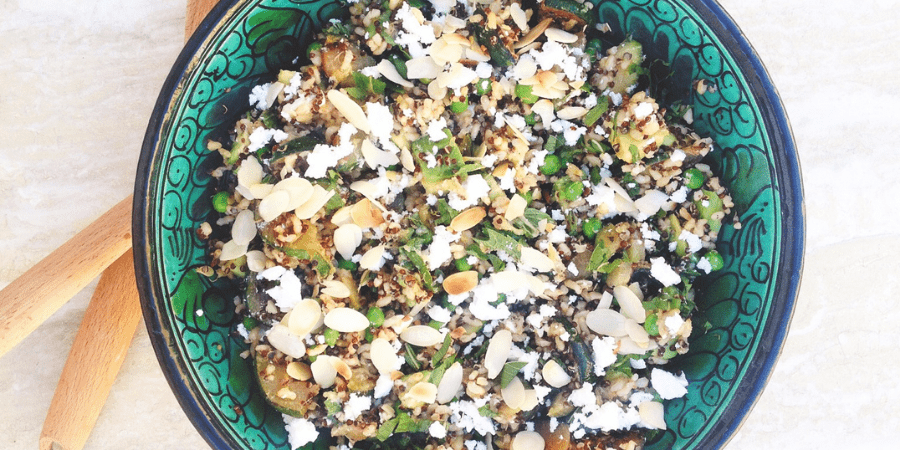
(465, 225)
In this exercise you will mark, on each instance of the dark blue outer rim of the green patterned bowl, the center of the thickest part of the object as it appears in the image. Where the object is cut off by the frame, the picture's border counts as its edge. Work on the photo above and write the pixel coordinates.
(787, 166)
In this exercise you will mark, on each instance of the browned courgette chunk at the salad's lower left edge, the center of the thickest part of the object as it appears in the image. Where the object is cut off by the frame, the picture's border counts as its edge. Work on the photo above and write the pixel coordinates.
(286, 394)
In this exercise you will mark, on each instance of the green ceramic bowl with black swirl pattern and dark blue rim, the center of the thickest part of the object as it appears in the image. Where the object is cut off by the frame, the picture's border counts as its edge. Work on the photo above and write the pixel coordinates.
(244, 42)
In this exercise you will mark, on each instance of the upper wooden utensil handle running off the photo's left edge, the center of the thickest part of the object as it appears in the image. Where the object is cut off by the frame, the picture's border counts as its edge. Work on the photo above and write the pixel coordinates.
(33, 297)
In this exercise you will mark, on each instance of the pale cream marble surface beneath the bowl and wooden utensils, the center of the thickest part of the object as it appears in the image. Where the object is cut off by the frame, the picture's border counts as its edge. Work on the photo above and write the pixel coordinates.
(77, 85)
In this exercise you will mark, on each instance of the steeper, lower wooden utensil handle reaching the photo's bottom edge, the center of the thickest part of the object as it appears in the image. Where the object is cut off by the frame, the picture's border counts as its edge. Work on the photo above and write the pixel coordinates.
(96, 356)
